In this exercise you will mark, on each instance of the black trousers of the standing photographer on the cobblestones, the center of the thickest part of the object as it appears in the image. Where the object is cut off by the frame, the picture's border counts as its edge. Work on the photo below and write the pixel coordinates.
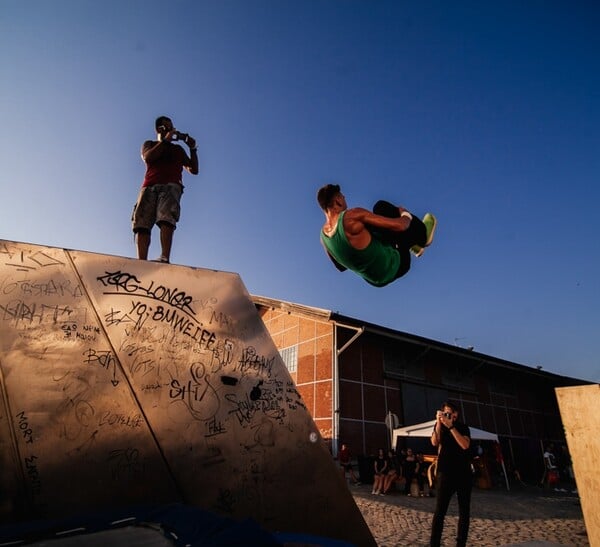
(447, 484)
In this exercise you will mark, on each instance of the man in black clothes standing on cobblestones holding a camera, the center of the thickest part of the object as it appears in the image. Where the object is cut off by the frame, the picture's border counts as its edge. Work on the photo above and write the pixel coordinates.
(453, 472)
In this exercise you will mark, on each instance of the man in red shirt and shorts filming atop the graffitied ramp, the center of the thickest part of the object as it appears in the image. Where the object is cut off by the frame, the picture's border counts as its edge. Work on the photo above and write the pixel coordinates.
(159, 198)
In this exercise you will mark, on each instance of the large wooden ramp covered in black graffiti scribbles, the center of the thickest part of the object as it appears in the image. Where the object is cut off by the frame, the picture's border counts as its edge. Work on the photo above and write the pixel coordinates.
(126, 382)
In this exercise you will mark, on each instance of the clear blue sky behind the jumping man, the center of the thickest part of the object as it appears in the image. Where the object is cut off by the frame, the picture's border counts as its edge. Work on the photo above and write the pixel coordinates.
(485, 113)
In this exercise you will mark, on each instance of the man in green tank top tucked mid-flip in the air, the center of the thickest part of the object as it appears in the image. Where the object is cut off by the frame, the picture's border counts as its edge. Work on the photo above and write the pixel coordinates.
(376, 245)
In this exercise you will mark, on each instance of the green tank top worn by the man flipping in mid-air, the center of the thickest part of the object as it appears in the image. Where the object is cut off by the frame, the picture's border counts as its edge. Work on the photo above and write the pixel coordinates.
(377, 264)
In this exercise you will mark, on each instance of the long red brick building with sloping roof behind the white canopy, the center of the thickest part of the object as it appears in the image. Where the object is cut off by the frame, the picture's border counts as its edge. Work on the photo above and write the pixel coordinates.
(355, 377)
